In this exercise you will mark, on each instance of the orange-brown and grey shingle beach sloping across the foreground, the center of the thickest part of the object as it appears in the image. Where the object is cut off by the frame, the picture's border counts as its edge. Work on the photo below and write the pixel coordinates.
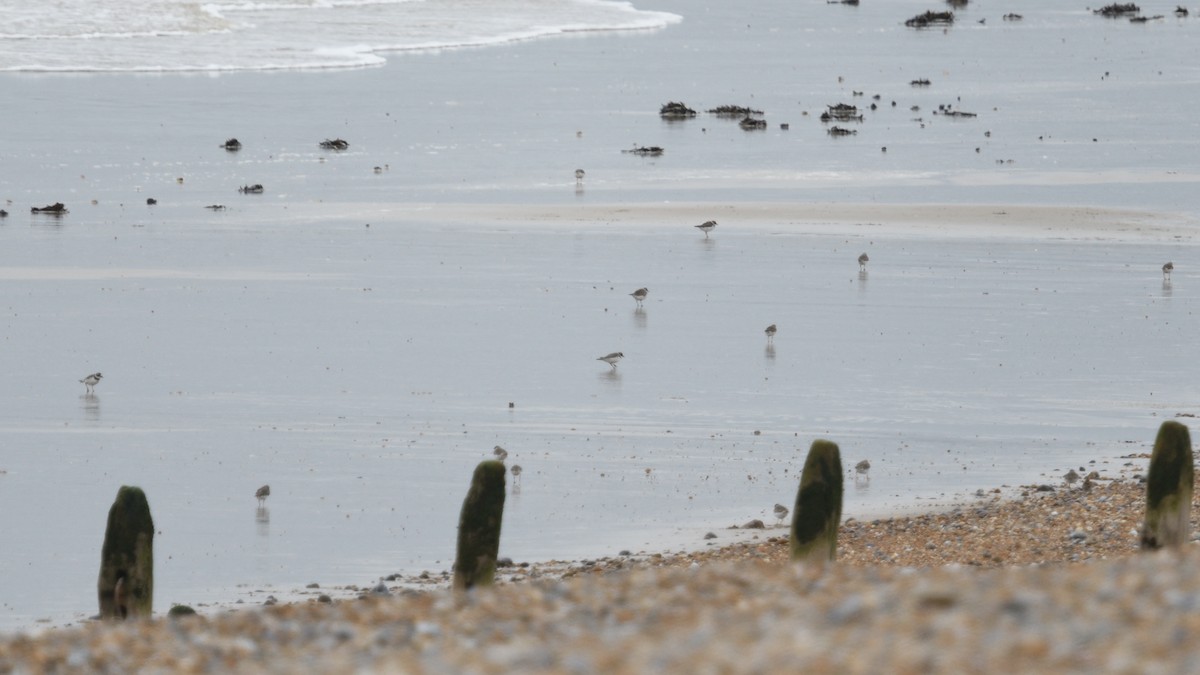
(1048, 582)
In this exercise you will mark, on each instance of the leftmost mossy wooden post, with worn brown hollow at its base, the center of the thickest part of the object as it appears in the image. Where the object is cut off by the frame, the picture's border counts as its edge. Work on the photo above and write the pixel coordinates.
(127, 559)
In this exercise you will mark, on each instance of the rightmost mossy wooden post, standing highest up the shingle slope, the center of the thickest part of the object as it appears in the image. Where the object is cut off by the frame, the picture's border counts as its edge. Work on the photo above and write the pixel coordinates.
(1169, 485)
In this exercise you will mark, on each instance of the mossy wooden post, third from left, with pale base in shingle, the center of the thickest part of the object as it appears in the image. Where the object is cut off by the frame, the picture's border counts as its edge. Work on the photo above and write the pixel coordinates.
(818, 511)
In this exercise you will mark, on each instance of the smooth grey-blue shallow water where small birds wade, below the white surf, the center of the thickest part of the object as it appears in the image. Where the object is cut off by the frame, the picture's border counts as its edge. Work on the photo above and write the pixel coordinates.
(364, 372)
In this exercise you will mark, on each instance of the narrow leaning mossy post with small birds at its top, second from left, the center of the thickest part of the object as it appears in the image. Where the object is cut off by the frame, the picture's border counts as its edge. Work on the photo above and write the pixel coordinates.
(479, 528)
